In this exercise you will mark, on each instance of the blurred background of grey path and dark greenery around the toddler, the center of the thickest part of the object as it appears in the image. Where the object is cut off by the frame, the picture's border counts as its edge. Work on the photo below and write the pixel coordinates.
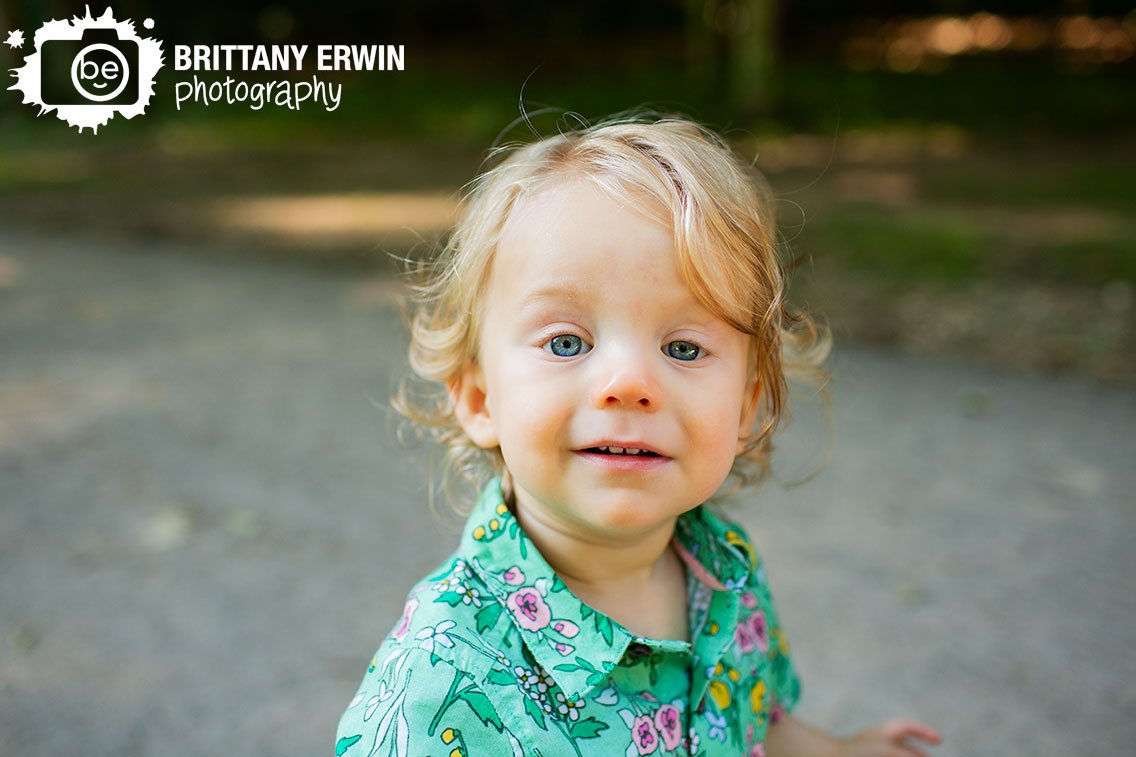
(208, 520)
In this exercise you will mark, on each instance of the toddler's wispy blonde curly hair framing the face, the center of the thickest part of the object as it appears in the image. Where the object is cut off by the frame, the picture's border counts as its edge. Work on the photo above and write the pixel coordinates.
(722, 214)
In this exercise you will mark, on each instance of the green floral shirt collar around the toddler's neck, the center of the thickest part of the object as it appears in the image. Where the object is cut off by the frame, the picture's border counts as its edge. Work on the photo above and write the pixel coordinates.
(577, 645)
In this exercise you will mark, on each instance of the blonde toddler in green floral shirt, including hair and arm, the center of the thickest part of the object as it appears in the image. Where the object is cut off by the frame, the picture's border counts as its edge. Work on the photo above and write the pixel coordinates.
(609, 339)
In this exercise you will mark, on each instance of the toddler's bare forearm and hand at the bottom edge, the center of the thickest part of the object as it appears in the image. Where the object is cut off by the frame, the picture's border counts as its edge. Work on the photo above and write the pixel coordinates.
(791, 738)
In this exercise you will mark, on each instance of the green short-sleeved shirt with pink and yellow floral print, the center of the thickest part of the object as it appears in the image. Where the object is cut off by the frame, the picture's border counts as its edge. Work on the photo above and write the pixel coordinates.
(496, 656)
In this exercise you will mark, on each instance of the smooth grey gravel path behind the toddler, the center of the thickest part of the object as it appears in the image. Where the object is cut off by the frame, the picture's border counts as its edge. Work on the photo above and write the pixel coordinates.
(207, 522)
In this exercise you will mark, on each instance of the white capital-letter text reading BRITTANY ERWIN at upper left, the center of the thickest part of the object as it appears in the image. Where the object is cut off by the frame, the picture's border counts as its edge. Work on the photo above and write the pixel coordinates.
(288, 57)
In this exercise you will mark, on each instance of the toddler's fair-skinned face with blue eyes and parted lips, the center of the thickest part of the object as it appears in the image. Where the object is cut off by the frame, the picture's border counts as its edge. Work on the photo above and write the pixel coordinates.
(590, 338)
